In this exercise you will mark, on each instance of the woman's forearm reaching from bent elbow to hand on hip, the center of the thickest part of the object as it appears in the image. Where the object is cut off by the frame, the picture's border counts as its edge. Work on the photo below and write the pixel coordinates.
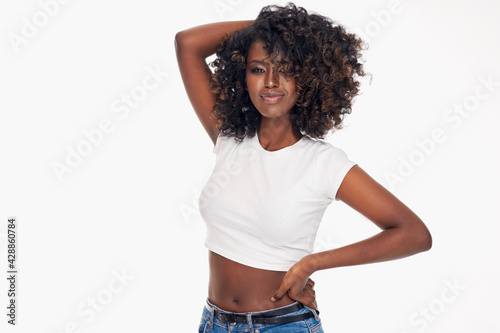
(390, 244)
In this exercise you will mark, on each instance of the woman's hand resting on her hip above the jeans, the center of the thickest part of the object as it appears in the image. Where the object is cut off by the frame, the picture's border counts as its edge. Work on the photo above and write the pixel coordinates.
(298, 285)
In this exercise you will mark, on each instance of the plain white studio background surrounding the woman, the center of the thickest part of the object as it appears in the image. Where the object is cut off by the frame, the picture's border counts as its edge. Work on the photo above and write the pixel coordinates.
(129, 206)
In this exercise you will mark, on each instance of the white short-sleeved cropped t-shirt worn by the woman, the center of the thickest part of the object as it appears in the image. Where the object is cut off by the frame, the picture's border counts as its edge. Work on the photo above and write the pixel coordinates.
(263, 208)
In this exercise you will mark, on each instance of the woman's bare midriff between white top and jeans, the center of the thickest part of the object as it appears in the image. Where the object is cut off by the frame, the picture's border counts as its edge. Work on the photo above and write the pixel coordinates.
(239, 288)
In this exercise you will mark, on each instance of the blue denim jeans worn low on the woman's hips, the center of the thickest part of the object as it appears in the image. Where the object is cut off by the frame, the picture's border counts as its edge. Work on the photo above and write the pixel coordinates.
(210, 323)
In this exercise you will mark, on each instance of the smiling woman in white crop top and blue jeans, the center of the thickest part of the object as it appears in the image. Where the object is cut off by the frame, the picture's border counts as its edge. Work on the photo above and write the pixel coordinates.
(280, 83)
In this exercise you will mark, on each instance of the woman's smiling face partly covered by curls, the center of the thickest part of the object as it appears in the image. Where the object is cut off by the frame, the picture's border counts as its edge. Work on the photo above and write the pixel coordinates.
(272, 92)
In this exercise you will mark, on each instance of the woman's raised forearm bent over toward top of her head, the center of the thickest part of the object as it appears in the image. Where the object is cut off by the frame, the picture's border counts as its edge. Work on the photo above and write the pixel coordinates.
(204, 39)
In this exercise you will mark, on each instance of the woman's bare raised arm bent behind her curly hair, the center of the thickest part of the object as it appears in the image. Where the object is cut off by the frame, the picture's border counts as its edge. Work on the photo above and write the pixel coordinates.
(192, 47)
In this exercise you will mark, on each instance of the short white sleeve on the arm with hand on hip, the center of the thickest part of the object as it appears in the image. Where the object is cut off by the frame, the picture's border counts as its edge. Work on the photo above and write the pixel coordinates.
(332, 166)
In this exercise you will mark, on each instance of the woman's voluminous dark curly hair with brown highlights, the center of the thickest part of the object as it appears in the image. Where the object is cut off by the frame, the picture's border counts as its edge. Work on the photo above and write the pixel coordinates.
(322, 57)
